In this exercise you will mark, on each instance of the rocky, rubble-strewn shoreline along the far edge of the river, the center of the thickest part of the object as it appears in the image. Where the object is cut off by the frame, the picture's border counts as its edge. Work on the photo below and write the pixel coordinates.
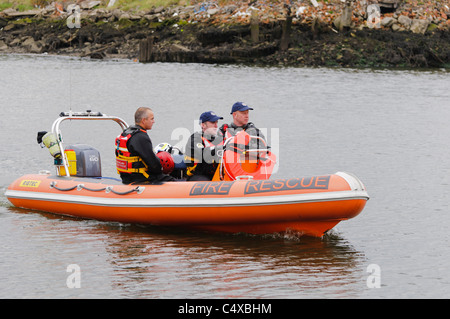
(308, 33)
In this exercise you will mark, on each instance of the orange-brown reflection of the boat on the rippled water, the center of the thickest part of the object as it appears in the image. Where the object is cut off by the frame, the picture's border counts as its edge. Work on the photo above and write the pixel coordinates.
(232, 266)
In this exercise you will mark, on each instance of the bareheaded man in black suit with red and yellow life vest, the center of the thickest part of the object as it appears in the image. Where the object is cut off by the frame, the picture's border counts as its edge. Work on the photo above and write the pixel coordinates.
(135, 160)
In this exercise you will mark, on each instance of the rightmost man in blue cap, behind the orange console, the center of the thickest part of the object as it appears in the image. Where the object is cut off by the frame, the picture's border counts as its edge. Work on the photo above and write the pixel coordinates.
(240, 113)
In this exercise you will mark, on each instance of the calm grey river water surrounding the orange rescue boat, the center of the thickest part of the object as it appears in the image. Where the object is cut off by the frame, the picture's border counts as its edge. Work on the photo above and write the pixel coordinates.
(389, 128)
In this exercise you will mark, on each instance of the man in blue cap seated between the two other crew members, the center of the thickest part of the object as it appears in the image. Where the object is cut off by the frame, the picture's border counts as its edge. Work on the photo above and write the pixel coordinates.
(202, 148)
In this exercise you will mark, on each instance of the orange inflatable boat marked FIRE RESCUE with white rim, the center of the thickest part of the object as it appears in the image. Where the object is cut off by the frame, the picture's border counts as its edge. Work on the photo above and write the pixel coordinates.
(307, 205)
